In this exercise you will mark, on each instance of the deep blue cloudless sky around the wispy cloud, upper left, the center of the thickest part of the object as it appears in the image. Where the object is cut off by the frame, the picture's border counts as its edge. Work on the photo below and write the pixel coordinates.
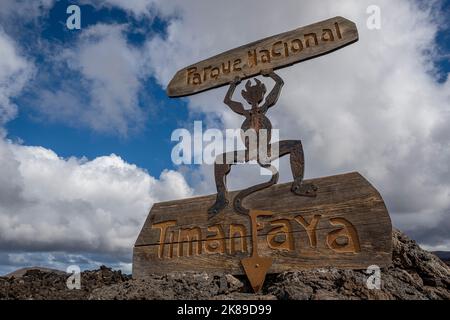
(149, 148)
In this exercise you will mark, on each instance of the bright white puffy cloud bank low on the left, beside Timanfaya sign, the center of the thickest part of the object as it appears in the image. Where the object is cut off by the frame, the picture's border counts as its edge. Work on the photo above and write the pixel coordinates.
(76, 204)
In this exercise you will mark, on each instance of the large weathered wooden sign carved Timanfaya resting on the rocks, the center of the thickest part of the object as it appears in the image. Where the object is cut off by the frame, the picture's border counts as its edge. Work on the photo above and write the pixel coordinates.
(345, 202)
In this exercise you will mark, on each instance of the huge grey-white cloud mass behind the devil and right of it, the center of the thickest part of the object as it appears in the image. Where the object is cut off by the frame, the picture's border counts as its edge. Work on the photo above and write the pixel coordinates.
(373, 107)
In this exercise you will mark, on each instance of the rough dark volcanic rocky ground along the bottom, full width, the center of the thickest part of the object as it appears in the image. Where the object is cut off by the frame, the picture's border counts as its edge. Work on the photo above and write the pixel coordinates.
(415, 274)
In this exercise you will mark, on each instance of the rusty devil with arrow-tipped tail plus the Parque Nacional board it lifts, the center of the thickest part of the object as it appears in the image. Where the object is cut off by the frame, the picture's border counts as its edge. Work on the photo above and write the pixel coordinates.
(261, 58)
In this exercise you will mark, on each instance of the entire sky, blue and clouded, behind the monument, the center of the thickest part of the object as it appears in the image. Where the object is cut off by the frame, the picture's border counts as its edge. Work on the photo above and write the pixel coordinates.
(86, 148)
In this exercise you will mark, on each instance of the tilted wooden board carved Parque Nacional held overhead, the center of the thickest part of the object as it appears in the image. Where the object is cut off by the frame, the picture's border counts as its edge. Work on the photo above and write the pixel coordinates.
(274, 52)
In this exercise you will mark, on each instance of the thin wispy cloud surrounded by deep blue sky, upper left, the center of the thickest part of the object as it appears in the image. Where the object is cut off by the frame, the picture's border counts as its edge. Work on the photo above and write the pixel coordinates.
(112, 68)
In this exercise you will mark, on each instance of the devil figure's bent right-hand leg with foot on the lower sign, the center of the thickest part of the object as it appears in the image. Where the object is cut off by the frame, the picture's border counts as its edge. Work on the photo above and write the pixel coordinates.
(297, 160)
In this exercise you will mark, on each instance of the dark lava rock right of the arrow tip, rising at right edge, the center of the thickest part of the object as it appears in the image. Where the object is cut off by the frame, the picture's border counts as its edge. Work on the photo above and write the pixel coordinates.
(415, 274)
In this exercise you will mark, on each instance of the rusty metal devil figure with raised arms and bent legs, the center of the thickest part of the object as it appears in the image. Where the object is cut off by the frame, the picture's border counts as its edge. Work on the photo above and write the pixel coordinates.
(255, 119)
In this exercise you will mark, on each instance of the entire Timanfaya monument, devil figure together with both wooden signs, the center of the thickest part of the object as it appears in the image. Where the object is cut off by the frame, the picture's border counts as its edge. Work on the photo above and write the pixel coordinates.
(336, 221)
